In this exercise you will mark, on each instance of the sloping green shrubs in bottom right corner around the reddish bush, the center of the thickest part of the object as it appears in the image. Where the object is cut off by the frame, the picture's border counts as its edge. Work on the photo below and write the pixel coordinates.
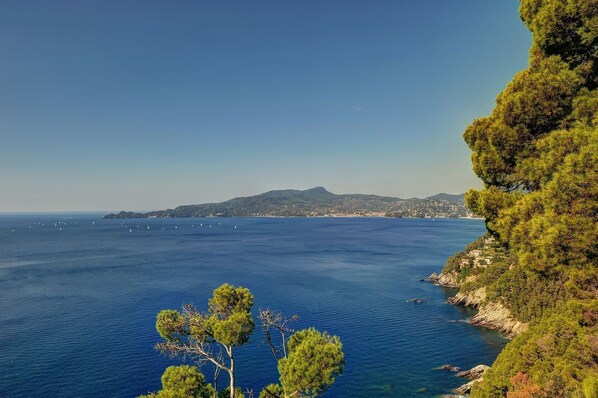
(559, 354)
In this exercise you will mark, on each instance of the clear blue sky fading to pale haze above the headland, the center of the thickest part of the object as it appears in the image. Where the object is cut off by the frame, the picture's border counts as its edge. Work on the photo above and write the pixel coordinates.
(142, 105)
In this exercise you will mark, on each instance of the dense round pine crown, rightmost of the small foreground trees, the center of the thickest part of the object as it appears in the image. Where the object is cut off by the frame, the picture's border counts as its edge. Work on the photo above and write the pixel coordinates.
(314, 360)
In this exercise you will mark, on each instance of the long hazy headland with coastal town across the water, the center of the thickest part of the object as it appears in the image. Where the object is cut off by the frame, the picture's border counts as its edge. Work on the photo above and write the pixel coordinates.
(315, 202)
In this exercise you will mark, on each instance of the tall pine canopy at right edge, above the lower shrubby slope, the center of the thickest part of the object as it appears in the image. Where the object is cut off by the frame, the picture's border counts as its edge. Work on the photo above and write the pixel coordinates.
(537, 152)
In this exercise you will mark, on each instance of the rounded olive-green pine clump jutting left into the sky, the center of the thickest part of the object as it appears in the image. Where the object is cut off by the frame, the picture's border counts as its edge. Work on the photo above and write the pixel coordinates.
(536, 102)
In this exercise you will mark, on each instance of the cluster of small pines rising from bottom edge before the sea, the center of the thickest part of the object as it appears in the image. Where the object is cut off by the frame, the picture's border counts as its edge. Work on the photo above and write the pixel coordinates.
(308, 360)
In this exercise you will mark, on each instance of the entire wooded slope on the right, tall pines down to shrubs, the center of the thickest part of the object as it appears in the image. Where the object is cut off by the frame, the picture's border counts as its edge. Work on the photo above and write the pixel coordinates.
(537, 154)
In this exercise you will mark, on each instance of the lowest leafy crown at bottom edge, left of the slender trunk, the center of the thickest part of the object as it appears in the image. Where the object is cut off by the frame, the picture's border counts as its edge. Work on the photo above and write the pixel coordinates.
(183, 382)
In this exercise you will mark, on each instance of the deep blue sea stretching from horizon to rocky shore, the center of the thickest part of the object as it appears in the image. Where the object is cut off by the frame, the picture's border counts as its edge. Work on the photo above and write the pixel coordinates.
(79, 295)
